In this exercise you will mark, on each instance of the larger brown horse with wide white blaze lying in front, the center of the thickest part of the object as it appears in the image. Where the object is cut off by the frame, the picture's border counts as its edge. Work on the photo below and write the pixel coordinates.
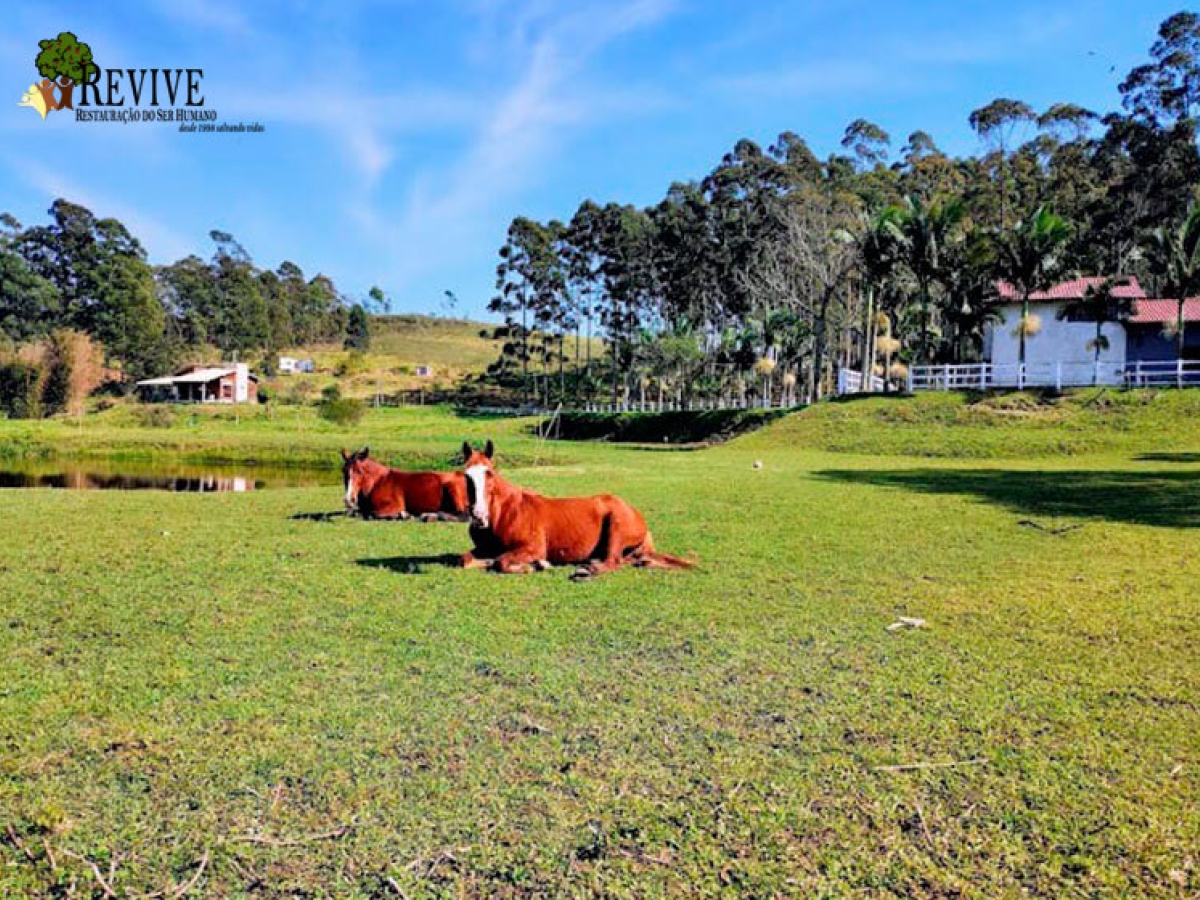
(518, 531)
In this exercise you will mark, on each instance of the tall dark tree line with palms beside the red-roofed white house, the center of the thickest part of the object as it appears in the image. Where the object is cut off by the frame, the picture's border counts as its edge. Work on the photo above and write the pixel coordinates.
(765, 275)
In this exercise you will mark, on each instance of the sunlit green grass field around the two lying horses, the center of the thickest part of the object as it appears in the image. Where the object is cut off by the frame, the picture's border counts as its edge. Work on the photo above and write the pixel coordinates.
(209, 695)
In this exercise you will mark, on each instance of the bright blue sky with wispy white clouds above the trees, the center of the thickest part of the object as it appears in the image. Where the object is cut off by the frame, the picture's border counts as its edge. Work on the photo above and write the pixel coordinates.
(403, 137)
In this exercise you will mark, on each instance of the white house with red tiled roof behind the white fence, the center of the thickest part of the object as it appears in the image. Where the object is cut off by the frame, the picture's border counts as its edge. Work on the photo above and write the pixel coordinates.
(1063, 351)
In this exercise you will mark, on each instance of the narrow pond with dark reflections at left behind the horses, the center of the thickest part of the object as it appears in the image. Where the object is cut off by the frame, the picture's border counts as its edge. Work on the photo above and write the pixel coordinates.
(93, 476)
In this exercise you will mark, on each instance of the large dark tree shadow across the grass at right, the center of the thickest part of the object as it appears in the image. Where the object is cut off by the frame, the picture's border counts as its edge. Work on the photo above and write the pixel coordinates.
(1167, 500)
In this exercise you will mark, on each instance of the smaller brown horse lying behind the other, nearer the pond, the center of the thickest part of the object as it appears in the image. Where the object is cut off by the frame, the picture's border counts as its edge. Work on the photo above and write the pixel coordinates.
(375, 491)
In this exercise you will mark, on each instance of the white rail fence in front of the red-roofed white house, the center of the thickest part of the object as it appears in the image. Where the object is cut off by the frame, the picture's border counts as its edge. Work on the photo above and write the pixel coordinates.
(987, 376)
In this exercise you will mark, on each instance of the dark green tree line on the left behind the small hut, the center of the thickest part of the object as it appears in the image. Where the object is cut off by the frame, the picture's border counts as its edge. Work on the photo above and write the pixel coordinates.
(92, 277)
